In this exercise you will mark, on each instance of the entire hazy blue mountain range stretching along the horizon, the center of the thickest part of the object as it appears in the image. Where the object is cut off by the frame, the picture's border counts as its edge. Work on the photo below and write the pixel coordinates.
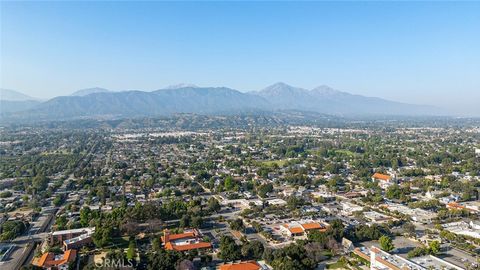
(103, 103)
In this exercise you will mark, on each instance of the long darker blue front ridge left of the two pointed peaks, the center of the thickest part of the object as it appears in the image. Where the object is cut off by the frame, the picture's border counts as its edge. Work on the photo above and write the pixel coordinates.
(139, 103)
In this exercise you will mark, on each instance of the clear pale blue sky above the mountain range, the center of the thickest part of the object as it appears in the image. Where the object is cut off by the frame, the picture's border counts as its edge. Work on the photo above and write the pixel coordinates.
(414, 52)
